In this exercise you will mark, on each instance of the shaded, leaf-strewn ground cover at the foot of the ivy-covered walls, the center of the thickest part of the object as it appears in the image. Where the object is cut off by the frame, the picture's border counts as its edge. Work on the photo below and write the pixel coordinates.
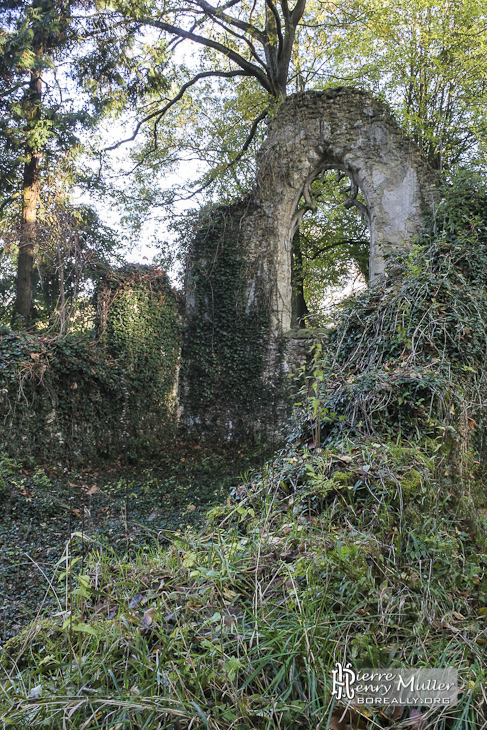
(126, 507)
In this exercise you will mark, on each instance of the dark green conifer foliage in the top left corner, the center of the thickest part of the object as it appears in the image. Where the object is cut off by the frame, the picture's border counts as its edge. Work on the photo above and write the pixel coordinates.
(34, 37)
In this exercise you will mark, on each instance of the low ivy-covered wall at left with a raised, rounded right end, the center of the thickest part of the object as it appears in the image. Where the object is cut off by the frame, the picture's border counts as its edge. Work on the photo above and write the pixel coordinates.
(94, 396)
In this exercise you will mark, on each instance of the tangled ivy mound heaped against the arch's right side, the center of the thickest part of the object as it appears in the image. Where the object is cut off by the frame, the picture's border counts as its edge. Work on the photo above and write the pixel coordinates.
(408, 355)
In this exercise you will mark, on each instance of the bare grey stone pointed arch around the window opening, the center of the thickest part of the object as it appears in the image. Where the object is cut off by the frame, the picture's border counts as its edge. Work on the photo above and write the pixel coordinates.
(343, 129)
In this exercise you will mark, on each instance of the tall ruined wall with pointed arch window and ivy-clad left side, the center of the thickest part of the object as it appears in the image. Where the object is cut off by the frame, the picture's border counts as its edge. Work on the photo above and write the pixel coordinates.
(312, 137)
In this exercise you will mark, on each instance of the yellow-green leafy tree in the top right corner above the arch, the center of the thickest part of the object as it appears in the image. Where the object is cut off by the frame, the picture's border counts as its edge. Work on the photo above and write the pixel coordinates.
(429, 59)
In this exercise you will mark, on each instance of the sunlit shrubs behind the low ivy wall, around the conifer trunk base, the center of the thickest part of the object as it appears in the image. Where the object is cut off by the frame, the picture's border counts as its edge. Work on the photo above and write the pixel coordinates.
(74, 251)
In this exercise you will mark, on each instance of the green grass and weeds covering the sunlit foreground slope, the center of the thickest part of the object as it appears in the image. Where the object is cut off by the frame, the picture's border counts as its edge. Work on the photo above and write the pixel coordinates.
(238, 625)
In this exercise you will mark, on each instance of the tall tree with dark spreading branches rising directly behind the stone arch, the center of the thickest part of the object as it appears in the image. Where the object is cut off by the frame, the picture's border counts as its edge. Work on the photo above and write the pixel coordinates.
(255, 48)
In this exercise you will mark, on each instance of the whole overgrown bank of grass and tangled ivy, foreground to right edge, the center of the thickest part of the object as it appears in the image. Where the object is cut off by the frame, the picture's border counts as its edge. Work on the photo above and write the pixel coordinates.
(364, 540)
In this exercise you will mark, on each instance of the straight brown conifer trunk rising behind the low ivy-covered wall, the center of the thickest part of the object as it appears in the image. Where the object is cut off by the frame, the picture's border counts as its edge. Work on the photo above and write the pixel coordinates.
(30, 197)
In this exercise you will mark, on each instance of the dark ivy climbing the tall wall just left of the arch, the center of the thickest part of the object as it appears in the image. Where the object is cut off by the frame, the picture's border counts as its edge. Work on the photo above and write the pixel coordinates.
(226, 331)
